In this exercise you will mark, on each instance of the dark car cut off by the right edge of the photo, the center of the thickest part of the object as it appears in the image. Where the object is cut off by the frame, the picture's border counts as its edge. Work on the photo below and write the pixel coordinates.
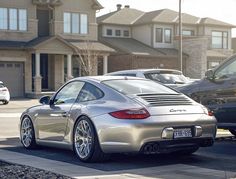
(217, 91)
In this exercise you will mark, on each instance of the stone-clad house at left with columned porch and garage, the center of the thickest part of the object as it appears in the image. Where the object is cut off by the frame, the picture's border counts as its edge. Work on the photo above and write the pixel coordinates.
(42, 44)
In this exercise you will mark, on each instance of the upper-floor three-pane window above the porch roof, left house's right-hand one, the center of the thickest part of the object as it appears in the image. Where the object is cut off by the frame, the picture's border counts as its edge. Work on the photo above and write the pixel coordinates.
(75, 23)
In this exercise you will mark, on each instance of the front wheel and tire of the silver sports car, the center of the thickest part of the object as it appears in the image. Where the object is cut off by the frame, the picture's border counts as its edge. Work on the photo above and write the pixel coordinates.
(27, 134)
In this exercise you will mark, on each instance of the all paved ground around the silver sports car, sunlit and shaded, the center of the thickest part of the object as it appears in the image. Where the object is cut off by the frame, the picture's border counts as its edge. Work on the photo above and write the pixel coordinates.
(218, 161)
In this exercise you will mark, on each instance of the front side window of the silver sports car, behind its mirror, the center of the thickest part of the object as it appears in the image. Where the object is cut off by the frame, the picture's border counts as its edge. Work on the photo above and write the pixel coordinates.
(69, 93)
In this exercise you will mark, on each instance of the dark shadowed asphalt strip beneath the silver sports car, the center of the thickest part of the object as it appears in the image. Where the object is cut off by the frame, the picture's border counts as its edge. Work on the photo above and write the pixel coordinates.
(220, 157)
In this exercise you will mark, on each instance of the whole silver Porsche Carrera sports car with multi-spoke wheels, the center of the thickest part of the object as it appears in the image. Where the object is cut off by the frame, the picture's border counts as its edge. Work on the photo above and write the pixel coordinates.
(96, 116)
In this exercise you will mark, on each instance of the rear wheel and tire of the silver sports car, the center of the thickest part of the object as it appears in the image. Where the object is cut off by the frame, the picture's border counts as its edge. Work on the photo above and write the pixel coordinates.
(85, 142)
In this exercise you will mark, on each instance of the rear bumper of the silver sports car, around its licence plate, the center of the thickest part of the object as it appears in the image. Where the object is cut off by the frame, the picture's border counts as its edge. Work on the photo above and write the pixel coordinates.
(119, 136)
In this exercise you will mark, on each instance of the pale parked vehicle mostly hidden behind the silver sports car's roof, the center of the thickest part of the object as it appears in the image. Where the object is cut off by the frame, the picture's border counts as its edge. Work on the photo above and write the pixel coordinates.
(169, 77)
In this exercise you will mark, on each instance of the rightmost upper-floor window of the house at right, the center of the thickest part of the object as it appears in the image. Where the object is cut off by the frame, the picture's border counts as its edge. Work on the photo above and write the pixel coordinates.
(220, 40)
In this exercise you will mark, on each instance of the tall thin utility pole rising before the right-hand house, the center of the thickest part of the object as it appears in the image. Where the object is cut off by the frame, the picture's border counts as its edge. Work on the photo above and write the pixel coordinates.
(180, 38)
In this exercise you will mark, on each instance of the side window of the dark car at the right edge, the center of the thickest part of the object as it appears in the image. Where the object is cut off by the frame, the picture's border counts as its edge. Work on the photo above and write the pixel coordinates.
(227, 71)
